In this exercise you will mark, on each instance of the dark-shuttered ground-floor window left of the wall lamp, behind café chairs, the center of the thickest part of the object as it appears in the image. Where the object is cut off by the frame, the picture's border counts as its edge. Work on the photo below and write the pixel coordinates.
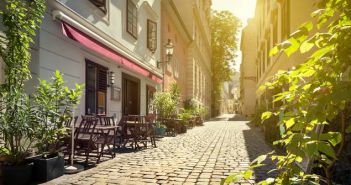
(96, 89)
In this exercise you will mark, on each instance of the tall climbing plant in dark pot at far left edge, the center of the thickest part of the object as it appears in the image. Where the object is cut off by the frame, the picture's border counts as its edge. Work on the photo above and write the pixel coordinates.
(18, 118)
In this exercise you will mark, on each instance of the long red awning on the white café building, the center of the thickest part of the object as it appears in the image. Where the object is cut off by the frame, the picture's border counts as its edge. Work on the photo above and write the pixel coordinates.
(98, 47)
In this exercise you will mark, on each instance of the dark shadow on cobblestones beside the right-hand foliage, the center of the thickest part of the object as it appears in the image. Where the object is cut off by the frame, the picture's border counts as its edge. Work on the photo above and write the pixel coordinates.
(256, 146)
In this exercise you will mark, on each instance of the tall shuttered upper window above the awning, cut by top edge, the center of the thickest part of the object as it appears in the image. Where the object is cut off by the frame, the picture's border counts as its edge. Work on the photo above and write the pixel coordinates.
(132, 19)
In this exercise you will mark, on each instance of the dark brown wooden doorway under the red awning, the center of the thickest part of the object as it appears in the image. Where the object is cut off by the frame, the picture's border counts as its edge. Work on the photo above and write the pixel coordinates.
(130, 95)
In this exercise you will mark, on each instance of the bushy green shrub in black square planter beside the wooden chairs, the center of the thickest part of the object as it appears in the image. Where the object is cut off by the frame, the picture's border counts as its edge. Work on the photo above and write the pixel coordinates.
(54, 102)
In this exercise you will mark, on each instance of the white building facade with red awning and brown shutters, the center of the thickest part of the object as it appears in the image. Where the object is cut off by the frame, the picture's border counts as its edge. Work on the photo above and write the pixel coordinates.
(110, 46)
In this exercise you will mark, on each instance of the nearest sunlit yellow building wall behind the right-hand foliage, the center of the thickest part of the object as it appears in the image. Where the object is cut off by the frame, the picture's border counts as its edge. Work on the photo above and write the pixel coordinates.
(299, 13)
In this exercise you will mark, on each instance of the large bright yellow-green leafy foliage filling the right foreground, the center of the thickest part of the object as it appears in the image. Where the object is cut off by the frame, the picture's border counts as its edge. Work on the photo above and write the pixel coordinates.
(312, 96)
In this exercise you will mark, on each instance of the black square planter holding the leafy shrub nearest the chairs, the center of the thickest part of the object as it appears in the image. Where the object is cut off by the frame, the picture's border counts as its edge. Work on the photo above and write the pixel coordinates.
(46, 169)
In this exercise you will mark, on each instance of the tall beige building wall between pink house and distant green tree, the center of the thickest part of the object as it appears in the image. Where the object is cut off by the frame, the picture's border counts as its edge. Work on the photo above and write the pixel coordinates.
(194, 16)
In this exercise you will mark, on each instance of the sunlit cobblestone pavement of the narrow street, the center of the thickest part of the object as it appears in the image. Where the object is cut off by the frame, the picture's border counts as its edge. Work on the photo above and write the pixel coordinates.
(203, 155)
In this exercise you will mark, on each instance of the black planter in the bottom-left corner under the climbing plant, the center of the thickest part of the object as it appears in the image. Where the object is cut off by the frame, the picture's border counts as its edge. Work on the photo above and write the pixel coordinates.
(17, 175)
